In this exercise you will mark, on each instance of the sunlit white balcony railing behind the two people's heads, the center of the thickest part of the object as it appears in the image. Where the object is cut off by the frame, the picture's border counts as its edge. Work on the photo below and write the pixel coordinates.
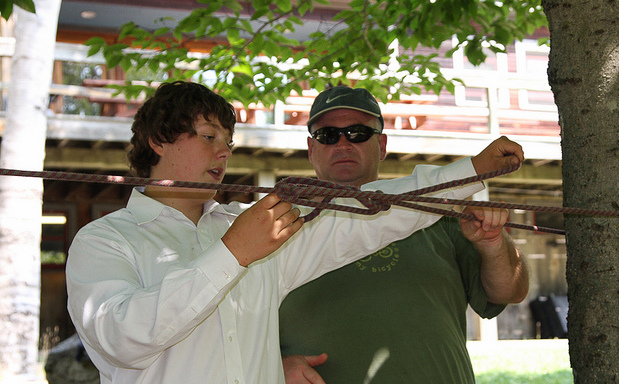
(418, 124)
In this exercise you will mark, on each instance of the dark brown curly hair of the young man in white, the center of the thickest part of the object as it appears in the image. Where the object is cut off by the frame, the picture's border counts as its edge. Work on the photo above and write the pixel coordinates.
(171, 111)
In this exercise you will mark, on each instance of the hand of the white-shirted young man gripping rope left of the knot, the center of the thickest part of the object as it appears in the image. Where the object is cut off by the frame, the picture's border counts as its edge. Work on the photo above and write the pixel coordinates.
(262, 229)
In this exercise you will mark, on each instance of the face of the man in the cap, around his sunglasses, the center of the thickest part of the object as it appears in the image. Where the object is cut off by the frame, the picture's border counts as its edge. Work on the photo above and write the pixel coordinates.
(344, 162)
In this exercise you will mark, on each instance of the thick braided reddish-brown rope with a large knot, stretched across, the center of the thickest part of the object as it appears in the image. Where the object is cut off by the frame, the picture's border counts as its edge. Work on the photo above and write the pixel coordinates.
(302, 191)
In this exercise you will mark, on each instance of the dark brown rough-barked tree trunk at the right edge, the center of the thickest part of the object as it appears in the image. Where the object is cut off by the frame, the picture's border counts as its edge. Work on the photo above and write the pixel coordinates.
(584, 76)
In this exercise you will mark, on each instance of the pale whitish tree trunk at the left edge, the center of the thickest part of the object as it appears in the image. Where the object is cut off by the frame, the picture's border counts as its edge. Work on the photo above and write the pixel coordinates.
(23, 147)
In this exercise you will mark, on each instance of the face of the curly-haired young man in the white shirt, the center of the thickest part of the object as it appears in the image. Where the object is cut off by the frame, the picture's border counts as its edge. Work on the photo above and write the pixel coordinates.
(202, 157)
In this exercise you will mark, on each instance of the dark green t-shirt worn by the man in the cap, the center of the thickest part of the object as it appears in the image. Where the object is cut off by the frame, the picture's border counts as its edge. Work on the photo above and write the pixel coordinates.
(396, 316)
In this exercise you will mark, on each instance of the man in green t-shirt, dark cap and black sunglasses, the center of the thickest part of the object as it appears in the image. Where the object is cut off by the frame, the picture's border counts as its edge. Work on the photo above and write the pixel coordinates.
(397, 316)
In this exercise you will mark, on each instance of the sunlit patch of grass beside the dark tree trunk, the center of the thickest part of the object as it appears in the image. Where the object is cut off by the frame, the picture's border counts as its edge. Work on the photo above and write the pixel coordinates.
(521, 362)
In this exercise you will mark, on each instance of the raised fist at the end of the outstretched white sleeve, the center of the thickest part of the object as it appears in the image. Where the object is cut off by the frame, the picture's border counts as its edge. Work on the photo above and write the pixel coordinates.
(501, 153)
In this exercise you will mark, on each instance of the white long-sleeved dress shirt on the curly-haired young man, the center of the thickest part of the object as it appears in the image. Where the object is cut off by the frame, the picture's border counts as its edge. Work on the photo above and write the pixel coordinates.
(157, 299)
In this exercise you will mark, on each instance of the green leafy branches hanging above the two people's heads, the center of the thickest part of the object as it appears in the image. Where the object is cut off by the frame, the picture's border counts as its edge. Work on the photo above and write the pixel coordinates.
(254, 58)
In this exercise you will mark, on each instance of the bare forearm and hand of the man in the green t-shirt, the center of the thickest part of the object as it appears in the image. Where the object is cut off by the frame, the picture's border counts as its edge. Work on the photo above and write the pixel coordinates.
(504, 275)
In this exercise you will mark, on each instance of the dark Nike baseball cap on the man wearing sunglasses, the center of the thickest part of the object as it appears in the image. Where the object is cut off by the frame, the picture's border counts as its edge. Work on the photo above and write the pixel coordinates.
(343, 97)
